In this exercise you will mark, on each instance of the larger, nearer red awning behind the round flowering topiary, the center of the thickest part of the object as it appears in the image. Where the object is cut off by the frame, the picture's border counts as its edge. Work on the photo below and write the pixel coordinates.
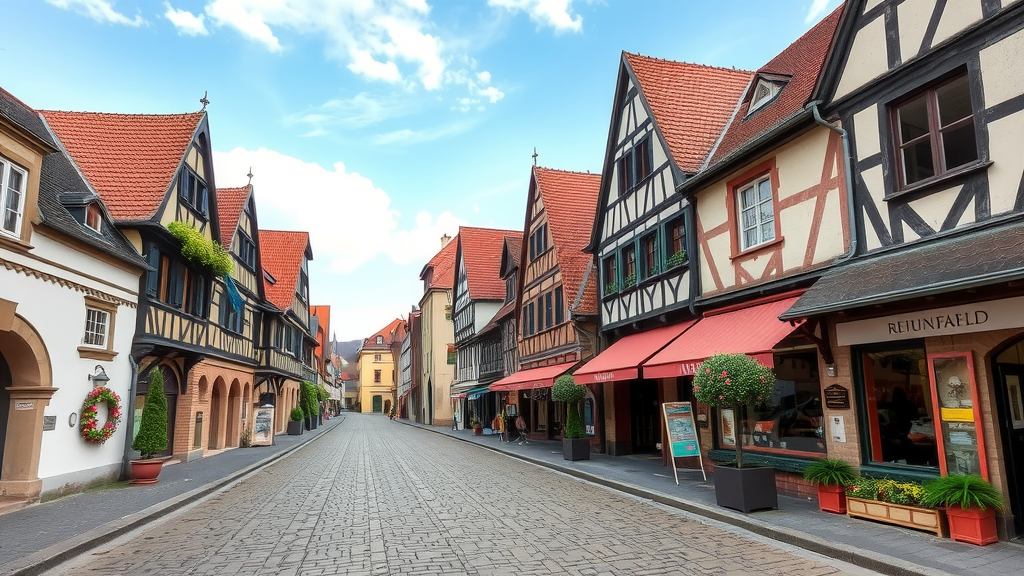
(753, 332)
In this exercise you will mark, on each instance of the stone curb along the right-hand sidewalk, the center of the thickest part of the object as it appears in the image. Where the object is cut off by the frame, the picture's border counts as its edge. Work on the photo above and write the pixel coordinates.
(865, 559)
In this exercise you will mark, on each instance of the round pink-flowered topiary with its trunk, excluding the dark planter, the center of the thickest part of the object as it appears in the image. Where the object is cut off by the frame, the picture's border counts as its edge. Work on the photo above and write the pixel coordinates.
(734, 381)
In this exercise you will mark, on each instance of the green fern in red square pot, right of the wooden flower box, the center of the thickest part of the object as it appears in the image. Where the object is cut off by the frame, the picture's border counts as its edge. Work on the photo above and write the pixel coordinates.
(970, 503)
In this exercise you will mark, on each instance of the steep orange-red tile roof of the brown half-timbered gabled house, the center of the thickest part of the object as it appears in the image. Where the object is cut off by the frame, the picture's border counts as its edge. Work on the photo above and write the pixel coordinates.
(571, 202)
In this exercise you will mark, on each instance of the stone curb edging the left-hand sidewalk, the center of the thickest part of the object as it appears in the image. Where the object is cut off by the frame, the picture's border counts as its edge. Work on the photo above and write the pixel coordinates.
(56, 555)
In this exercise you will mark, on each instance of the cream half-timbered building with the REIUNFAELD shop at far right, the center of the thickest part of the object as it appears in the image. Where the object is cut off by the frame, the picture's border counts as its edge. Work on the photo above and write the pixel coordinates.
(928, 318)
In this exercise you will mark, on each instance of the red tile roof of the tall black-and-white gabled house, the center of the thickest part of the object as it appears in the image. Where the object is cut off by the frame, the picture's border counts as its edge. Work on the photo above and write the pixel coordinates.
(691, 103)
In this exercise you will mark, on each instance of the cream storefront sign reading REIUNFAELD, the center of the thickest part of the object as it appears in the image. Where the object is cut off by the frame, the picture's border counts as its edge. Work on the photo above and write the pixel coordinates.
(979, 317)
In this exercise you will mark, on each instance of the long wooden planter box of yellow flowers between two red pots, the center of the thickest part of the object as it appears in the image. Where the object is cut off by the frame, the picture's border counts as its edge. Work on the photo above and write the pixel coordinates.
(893, 502)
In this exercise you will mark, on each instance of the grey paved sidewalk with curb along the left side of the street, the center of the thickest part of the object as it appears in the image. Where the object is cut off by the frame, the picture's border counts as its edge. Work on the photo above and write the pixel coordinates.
(38, 538)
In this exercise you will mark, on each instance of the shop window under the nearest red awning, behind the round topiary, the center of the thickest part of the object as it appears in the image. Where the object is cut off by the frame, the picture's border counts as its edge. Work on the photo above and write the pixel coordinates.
(794, 421)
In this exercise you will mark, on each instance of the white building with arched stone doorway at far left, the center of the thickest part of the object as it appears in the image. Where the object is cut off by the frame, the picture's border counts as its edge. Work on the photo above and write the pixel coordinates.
(69, 295)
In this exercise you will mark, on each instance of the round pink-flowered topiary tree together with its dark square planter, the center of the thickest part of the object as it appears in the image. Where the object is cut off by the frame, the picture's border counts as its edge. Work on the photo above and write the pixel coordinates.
(736, 381)
